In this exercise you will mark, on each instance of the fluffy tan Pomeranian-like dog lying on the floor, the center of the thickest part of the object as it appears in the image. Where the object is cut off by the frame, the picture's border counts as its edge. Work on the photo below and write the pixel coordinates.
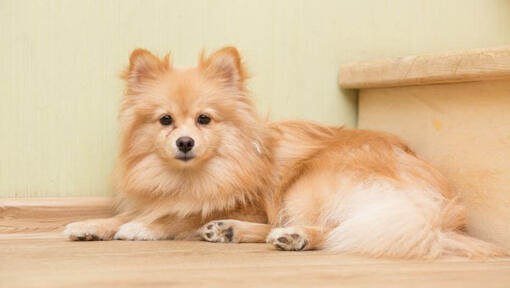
(196, 162)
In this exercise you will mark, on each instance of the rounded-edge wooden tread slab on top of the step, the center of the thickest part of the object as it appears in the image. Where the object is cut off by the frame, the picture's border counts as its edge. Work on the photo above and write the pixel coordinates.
(465, 66)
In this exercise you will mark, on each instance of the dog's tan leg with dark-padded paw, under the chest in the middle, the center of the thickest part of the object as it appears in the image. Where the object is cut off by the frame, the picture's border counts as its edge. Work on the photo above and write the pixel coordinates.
(234, 231)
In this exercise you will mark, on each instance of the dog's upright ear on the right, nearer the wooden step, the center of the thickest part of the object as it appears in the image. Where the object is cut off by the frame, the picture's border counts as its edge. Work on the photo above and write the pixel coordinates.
(225, 65)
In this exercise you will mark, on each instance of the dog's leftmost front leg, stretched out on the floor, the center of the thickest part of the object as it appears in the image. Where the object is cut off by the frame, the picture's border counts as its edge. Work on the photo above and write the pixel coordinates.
(95, 229)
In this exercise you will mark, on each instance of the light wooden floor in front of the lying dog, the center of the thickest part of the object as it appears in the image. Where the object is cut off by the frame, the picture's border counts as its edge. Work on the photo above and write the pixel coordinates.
(48, 260)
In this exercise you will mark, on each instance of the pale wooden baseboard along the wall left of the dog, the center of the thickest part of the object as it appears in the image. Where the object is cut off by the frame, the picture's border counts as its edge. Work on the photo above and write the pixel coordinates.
(25, 216)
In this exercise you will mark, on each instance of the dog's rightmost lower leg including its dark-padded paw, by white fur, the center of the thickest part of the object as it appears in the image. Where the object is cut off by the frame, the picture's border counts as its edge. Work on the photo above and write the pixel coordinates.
(297, 238)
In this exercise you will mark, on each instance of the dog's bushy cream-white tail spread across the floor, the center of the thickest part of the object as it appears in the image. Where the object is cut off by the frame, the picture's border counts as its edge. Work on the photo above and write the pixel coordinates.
(403, 233)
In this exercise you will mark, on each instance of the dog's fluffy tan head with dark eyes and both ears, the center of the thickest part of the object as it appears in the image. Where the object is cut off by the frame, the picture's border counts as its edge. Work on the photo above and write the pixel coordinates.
(184, 118)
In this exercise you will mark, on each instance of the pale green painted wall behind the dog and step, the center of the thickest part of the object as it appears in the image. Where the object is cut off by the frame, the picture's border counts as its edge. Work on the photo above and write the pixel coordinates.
(59, 60)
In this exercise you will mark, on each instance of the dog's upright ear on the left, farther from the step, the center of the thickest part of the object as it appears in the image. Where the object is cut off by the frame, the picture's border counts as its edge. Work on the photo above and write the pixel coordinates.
(144, 65)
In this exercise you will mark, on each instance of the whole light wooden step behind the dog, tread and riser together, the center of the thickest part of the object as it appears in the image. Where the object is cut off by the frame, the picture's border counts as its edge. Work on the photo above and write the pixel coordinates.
(454, 110)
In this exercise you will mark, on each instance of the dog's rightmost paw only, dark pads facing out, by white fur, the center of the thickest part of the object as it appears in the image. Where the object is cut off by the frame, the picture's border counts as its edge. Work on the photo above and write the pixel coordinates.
(287, 239)
